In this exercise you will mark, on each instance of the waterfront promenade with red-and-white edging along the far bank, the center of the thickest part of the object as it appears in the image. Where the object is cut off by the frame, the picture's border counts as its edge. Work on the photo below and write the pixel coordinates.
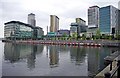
(97, 43)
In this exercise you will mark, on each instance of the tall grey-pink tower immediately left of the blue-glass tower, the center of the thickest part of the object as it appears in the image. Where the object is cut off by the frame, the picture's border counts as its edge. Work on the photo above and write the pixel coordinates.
(93, 16)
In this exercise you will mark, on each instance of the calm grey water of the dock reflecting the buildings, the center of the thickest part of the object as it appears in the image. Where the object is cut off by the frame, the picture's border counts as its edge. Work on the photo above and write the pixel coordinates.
(52, 60)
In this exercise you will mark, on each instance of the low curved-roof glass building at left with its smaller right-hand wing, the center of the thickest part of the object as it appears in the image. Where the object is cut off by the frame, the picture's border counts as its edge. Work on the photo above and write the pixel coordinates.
(18, 30)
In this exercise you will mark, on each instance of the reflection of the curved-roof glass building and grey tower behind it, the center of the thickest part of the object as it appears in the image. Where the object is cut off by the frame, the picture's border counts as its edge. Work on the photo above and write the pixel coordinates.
(16, 52)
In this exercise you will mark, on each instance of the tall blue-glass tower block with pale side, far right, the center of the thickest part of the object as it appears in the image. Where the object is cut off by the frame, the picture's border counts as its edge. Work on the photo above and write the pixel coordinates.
(108, 20)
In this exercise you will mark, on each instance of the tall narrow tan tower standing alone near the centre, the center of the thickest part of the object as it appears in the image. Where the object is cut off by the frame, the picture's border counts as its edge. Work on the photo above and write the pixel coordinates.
(54, 23)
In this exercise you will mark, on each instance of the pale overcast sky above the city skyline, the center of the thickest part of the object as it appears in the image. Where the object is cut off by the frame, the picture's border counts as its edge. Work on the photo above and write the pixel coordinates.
(66, 10)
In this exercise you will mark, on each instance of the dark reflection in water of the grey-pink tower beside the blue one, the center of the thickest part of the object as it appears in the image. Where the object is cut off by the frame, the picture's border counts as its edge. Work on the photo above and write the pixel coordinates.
(93, 61)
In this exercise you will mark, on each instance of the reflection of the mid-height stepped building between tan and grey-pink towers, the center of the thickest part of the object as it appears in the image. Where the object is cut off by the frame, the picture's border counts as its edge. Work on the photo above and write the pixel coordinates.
(77, 55)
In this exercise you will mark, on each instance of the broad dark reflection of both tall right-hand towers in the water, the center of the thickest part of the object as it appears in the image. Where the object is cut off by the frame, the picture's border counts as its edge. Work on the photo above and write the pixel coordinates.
(96, 59)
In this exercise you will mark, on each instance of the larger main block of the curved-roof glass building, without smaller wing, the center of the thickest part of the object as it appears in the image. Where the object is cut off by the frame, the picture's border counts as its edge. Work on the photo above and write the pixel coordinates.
(17, 30)
